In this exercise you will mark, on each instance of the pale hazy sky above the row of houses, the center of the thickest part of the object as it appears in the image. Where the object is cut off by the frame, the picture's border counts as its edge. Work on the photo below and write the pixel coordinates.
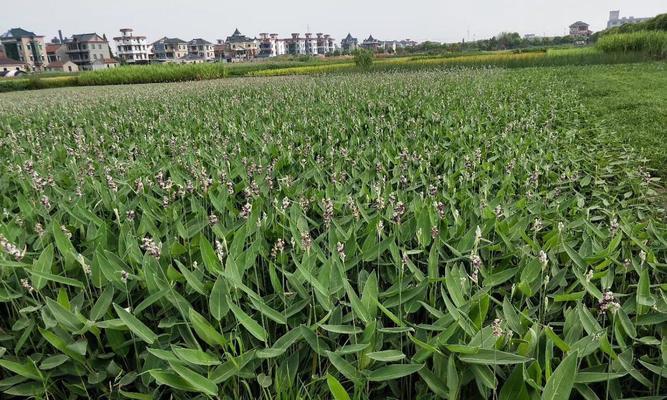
(439, 20)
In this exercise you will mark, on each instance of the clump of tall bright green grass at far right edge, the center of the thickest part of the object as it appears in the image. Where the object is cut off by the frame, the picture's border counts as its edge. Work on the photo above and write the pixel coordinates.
(653, 43)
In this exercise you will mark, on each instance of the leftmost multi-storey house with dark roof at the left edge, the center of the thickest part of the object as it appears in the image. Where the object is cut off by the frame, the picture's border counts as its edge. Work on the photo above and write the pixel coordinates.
(26, 47)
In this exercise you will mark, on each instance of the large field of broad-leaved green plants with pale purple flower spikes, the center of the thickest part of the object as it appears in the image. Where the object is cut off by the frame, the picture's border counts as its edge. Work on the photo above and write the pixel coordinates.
(453, 234)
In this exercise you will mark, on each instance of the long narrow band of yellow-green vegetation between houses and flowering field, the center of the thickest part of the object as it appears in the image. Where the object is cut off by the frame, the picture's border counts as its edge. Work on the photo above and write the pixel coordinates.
(362, 62)
